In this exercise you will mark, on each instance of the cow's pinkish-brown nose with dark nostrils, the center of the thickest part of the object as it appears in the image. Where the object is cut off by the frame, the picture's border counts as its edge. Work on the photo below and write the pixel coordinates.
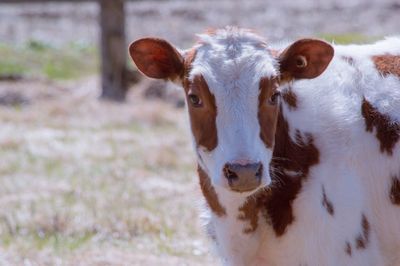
(243, 177)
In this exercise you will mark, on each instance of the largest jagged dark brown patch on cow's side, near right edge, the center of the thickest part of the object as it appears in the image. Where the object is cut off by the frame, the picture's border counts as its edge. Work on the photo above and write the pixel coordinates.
(387, 132)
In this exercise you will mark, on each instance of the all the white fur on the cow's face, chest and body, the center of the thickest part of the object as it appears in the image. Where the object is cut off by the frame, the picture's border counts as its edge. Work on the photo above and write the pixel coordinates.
(352, 169)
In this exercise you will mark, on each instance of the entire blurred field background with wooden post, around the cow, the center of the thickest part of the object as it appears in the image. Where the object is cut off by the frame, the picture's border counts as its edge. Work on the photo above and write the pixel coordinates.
(96, 165)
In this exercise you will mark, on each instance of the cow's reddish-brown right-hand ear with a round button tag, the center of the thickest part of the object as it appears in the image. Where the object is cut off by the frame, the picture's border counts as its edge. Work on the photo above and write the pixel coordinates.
(305, 59)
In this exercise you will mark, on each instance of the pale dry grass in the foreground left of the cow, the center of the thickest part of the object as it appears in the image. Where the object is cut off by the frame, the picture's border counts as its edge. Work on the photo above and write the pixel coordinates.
(87, 182)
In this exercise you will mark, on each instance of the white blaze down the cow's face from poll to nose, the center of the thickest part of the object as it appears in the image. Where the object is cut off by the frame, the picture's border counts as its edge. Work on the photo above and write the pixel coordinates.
(232, 62)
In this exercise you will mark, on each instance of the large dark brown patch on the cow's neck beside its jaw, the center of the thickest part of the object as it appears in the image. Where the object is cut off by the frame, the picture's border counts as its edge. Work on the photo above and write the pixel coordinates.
(296, 156)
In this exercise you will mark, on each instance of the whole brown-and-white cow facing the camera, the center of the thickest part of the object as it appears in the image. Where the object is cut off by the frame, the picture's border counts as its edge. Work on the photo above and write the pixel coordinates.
(297, 145)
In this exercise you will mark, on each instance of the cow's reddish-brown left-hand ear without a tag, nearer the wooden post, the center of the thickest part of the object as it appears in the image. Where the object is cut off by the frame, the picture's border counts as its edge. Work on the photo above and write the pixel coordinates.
(156, 58)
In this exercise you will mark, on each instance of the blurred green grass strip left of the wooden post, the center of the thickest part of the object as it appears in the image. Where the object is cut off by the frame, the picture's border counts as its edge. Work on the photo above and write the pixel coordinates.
(38, 59)
